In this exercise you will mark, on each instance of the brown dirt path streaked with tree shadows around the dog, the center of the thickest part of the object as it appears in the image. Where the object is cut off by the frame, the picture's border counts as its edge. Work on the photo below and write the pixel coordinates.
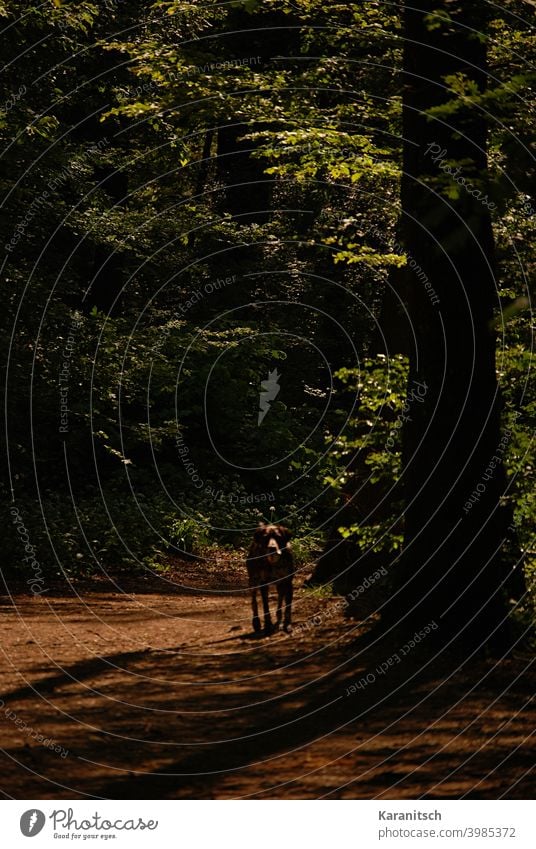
(150, 689)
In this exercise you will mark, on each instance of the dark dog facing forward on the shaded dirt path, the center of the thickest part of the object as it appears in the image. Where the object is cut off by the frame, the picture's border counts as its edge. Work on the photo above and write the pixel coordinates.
(270, 561)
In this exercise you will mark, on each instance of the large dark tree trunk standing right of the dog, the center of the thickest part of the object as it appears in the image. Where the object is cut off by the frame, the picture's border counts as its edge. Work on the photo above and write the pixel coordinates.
(452, 568)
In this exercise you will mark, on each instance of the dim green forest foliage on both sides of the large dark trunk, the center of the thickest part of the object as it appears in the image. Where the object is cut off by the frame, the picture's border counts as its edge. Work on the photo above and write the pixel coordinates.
(126, 130)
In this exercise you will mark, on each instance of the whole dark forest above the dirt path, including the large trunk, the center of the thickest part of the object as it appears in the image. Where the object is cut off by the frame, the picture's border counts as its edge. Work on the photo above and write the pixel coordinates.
(196, 195)
